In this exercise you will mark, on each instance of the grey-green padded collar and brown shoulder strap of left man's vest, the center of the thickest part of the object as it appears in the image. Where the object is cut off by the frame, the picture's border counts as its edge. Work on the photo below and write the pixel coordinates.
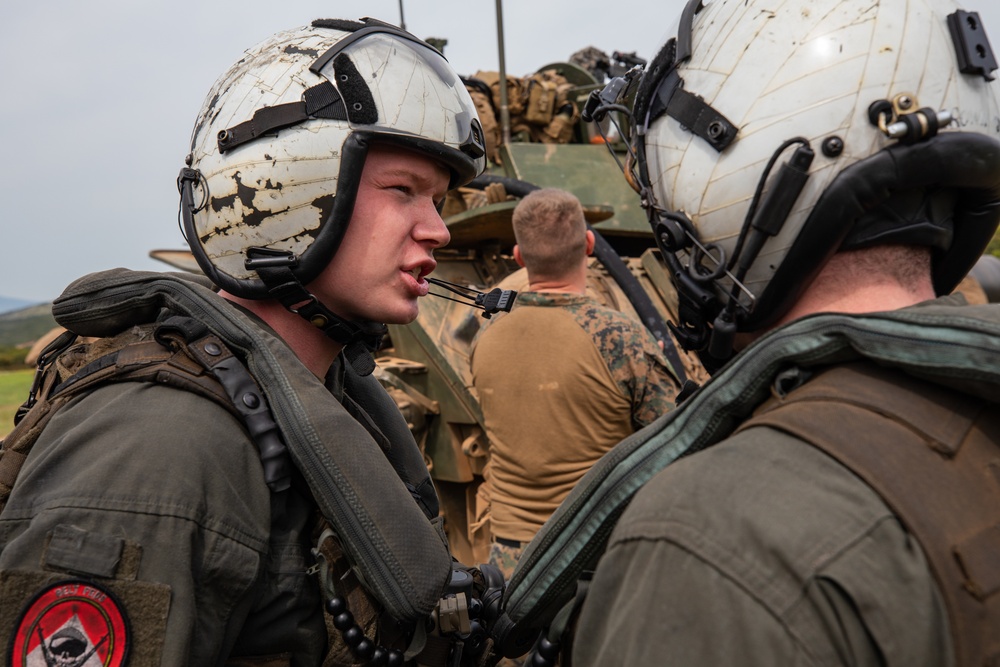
(379, 500)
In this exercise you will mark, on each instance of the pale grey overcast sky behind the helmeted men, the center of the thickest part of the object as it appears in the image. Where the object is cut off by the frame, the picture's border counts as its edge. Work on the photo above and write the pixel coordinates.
(99, 97)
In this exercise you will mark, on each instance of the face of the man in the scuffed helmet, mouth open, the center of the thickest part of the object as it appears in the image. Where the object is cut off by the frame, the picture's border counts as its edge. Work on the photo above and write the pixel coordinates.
(380, 269)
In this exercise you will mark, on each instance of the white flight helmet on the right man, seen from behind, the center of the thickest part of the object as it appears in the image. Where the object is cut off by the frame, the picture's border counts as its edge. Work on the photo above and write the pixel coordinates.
(882, 117)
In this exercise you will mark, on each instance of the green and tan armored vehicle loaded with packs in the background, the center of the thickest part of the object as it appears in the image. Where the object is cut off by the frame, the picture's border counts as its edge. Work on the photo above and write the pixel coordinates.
(545, 143)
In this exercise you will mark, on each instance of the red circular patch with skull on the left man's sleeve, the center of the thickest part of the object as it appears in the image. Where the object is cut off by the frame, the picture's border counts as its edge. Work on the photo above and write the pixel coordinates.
(71, 624)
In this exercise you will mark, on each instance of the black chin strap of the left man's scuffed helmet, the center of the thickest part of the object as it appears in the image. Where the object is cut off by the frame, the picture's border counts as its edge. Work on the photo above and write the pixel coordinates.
(359, 338)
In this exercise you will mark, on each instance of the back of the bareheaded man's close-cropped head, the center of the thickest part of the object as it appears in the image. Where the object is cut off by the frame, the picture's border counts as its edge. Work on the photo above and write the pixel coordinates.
(550, 230)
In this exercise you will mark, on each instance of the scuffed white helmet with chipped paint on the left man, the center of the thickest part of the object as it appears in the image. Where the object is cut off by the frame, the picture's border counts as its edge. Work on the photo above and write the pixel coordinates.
(278, 148)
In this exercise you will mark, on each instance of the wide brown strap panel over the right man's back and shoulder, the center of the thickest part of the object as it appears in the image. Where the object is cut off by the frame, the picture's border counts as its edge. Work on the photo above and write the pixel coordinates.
(933, 455)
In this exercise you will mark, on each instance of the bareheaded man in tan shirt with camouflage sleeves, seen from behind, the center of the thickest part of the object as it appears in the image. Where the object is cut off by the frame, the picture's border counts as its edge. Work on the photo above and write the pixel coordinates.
(561, 379)
